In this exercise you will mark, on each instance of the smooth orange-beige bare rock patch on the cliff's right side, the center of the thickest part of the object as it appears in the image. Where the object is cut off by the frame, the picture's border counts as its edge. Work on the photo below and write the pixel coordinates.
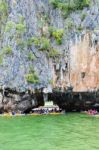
(85, 64)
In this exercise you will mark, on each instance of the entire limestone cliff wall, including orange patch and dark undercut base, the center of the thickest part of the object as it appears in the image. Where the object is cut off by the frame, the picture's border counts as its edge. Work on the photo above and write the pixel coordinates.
(63, 51)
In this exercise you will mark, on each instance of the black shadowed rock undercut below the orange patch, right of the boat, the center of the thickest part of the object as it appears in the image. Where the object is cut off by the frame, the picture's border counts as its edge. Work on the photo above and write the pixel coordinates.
(76, 101)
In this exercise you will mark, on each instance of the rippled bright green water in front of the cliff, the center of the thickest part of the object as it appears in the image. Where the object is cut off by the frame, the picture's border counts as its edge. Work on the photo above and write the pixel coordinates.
(63, 132)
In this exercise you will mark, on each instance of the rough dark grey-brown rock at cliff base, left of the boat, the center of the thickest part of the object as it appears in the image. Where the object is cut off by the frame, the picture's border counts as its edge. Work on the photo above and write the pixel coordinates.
(14, 101)
